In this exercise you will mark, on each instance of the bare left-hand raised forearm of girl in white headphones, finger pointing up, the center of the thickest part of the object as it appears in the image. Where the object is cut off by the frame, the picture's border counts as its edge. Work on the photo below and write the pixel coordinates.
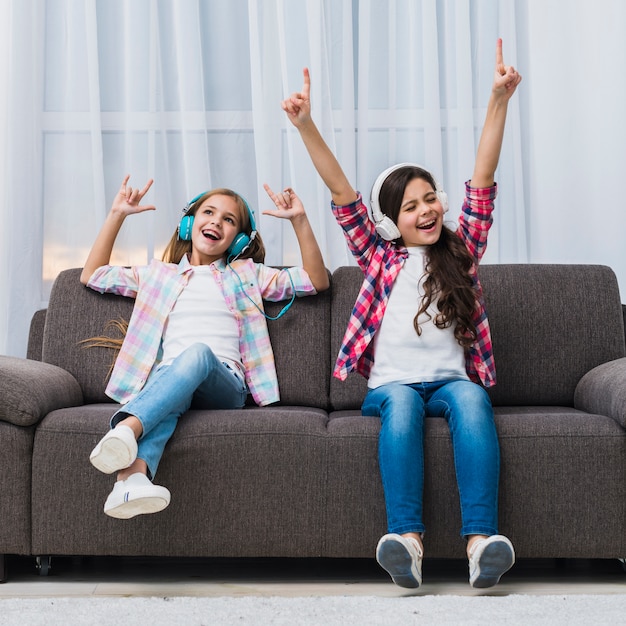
(298, 109)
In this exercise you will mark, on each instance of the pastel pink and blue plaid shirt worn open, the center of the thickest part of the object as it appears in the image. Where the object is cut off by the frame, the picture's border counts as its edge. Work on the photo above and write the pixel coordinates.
(156, 288)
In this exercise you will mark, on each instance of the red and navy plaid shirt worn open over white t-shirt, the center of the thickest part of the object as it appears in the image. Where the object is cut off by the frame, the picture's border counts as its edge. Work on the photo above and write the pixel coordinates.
(381, 262)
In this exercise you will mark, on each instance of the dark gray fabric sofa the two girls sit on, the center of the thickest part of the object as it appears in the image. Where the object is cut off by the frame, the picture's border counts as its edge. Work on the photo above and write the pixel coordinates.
(301, 479)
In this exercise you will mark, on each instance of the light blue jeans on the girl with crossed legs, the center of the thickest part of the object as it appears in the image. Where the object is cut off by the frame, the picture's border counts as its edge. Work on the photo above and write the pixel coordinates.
(196, 378)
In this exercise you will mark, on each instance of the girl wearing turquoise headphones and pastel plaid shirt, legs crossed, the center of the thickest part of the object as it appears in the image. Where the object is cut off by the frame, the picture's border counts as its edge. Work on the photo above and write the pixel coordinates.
(198, 333)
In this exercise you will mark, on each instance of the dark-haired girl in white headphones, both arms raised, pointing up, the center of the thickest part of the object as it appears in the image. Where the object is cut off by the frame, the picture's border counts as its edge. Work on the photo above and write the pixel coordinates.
(419, 334)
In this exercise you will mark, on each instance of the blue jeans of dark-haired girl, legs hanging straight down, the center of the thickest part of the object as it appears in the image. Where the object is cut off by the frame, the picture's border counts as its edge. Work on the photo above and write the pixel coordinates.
(467, 409)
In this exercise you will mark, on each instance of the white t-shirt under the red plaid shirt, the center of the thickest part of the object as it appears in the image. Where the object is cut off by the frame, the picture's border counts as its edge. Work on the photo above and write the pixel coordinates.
(400, 354)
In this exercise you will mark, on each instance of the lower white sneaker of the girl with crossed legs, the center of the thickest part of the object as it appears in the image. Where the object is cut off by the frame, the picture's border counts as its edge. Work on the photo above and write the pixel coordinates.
(136, 496)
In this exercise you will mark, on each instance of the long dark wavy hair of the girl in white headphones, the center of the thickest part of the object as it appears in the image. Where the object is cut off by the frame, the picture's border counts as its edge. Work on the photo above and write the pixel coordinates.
(448, 264)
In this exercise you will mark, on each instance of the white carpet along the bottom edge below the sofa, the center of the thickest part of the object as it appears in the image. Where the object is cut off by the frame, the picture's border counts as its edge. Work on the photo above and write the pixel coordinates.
(570, 610)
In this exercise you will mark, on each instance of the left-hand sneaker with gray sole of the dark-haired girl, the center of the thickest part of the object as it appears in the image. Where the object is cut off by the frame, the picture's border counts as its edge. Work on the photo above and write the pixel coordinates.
(401, 557)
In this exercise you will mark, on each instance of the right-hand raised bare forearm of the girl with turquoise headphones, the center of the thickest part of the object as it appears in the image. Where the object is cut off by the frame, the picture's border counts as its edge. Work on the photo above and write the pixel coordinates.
(289, 206)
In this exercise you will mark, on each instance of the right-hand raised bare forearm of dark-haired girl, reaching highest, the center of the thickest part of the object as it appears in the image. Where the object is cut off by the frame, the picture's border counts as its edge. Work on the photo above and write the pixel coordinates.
(505, 83)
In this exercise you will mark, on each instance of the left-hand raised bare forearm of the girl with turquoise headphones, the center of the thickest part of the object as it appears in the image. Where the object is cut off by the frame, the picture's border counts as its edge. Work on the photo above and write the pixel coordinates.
(125, 203)
